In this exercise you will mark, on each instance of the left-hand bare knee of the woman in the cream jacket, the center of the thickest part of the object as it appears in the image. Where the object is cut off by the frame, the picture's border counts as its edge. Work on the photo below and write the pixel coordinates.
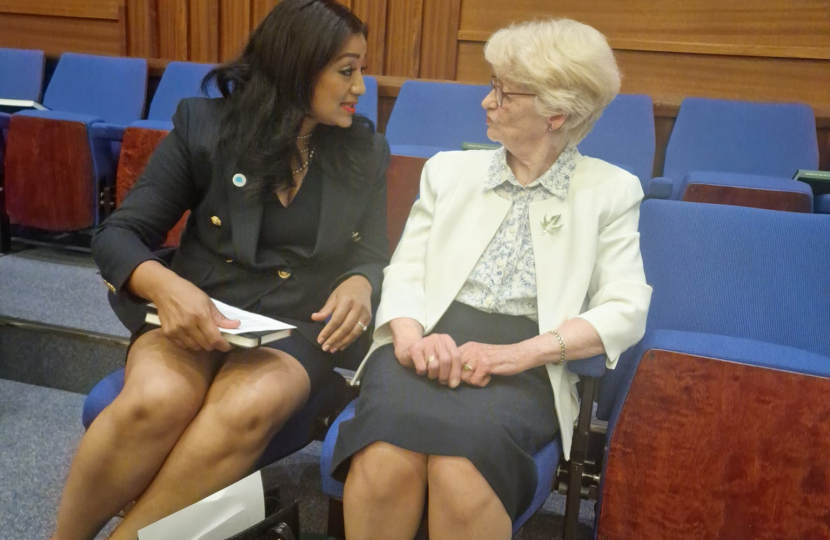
(385, 472)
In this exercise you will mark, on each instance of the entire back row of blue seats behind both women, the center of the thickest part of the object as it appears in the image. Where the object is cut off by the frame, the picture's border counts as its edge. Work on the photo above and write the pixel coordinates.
(719, 151)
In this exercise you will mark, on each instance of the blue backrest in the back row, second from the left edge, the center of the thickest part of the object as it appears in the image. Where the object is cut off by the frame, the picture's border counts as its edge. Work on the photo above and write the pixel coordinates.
(111, 88)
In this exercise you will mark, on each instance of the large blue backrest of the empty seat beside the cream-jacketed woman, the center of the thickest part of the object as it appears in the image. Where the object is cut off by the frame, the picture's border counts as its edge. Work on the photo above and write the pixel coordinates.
(733, 271)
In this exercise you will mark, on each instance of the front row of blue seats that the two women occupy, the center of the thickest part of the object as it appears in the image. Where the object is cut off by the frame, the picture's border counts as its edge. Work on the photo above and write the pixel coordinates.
(716, 419)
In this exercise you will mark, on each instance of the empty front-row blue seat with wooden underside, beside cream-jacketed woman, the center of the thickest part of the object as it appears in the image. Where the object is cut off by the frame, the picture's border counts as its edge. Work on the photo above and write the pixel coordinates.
(740, 295)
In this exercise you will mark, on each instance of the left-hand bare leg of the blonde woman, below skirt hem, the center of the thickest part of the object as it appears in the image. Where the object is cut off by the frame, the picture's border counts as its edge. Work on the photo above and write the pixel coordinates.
(384, 494)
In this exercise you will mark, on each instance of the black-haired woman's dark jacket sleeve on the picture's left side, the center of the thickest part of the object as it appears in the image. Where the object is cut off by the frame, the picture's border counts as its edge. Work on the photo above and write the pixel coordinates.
(153, 206)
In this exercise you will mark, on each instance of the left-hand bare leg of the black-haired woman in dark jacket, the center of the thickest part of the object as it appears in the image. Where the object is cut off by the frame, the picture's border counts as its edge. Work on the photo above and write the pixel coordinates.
(127, 444)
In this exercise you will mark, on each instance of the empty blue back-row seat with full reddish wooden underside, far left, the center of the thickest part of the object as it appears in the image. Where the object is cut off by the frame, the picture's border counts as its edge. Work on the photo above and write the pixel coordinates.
(57, 152)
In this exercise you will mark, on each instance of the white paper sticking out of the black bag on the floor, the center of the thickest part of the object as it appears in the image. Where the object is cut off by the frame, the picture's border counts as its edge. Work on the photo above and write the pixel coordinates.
(217, 517)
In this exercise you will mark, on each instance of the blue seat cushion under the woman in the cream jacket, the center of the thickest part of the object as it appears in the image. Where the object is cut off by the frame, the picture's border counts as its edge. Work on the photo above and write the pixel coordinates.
(546, 461)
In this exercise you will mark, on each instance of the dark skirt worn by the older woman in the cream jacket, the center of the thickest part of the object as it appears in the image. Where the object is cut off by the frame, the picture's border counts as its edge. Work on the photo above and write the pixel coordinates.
(498, 428)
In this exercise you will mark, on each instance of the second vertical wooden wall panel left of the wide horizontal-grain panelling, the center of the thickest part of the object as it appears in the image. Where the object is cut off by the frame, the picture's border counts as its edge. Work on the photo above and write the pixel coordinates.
(403, 37)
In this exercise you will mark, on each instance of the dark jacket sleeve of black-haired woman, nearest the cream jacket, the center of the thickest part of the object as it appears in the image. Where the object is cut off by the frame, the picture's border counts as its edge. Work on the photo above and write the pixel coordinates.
(370, 255)
